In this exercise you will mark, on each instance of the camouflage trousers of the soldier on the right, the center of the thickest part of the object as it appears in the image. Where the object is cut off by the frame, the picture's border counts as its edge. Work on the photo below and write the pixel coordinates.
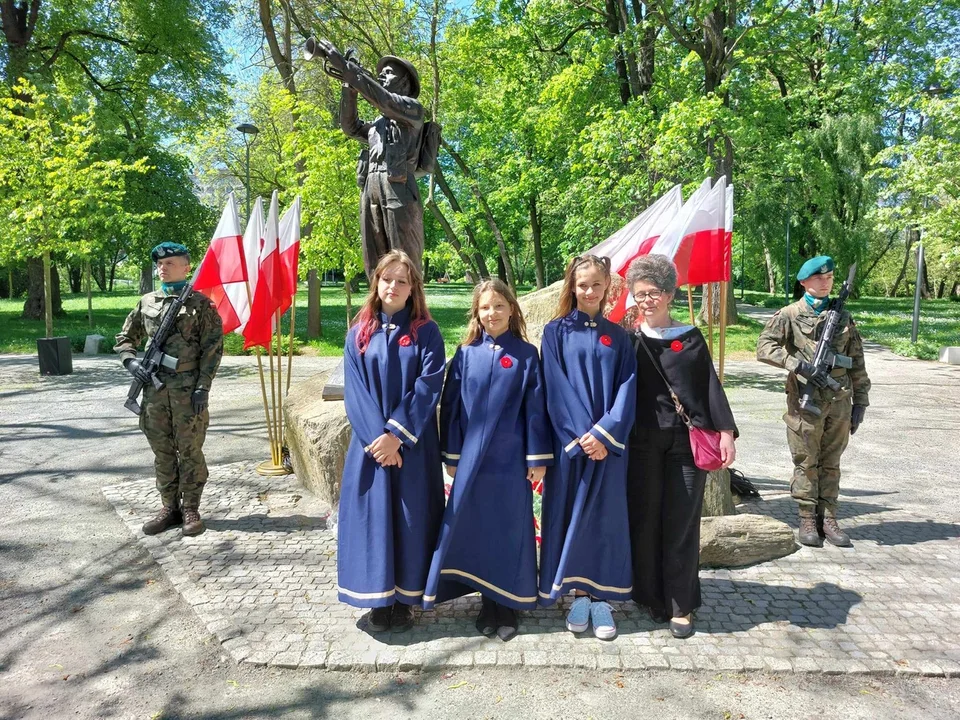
(816, 443)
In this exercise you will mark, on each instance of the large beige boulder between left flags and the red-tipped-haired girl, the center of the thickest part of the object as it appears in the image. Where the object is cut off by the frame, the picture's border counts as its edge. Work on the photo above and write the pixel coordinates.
(317, 434)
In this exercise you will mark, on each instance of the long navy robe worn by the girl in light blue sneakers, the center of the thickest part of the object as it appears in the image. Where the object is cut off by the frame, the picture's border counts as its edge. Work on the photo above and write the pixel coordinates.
(590, 371)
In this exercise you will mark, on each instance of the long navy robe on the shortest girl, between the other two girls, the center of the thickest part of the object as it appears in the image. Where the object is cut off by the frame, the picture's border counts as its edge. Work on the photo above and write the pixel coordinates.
(493, 426)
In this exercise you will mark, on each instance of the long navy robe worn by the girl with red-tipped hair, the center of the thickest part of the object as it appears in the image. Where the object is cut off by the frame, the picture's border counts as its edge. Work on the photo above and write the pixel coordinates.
(389, 516)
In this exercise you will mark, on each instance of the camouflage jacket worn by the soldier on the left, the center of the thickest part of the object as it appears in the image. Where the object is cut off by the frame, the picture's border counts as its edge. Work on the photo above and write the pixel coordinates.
(196, 340)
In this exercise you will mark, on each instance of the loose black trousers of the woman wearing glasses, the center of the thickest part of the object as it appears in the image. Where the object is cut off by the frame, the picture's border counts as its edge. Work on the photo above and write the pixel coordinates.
(665, 499)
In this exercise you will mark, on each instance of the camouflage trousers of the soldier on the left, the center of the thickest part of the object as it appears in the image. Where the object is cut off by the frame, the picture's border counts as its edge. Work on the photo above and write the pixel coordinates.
(176, 437)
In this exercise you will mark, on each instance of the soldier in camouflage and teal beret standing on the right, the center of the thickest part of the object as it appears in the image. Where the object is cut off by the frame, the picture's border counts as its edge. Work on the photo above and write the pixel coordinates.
(817, 442)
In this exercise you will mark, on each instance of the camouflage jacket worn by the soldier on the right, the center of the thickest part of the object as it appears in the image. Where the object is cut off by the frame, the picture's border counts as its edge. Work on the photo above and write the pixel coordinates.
(791, 336)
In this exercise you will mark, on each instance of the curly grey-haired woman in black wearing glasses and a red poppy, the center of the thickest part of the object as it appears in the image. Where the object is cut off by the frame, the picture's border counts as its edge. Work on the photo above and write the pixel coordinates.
(664, 486)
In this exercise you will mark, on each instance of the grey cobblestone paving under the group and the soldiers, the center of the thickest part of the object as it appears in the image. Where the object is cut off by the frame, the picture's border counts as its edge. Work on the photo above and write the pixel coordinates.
(263, 580)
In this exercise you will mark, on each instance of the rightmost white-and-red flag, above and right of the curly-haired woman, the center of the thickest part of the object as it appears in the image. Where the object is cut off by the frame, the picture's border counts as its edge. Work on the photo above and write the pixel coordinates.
(695, 240)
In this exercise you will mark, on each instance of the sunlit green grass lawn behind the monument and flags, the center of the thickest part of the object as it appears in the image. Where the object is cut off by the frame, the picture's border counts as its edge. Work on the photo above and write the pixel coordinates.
(881, 320)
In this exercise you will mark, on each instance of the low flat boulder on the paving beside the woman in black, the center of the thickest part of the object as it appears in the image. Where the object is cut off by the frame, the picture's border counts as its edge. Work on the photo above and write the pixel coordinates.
(738, 540)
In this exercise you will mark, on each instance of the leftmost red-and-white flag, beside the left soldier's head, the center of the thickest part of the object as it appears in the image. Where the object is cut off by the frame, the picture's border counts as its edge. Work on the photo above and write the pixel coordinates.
(222, 273)
